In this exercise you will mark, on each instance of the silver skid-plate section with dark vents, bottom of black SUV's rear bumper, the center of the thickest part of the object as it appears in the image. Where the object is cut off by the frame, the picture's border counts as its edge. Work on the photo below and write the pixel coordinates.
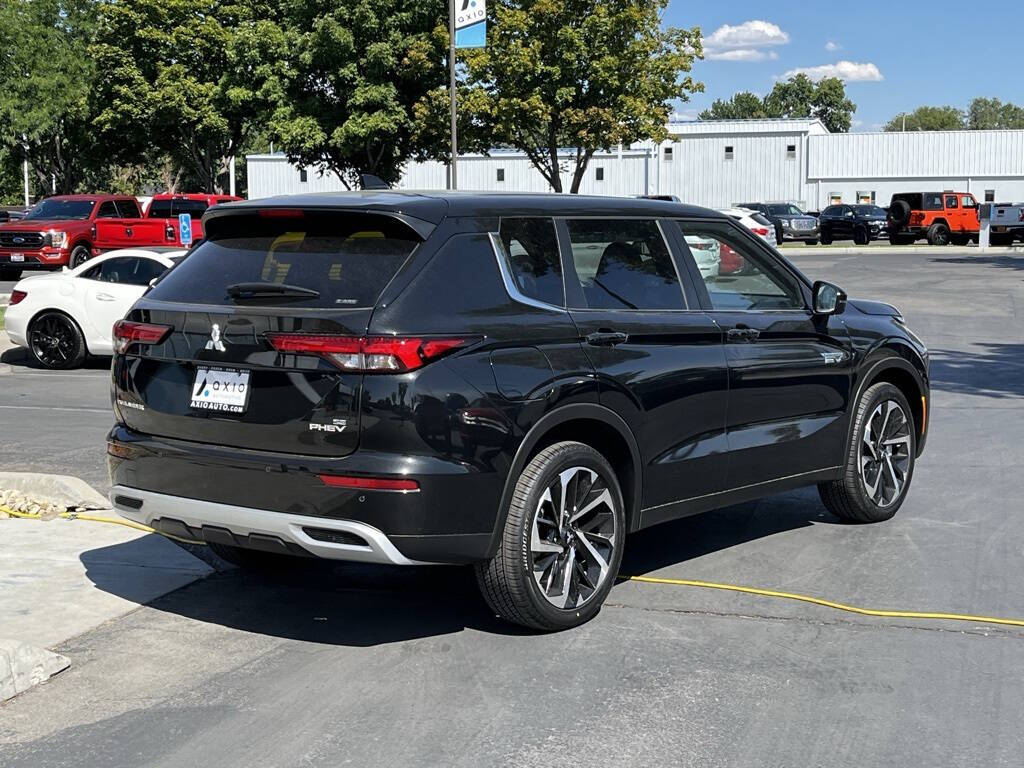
(258, 529)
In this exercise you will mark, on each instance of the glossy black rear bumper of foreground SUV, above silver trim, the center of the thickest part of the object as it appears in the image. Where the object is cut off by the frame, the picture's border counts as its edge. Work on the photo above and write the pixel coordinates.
(450, 520)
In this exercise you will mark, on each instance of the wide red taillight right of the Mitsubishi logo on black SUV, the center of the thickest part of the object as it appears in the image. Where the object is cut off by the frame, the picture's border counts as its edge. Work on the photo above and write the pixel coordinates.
(373, 355)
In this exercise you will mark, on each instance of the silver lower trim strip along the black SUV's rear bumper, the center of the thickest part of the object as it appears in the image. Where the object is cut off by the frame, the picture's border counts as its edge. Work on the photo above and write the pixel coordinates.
(245, 521)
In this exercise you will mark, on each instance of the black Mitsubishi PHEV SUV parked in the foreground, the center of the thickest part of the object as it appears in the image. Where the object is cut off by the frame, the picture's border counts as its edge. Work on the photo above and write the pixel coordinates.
(517, 381)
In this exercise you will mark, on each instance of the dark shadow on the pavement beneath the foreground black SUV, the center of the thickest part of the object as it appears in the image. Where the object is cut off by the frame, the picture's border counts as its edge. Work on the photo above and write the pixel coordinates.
(364, 606)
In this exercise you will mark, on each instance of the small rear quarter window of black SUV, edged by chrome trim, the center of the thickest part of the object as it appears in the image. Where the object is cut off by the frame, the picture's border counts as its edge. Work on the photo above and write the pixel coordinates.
(531, 247)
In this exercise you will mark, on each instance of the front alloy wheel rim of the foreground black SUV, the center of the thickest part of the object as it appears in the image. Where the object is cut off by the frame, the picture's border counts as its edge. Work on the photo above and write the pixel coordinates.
(885, 453)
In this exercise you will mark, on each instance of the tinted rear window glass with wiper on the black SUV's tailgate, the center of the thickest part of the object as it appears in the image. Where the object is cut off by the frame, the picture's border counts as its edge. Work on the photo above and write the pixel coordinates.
(347, 259)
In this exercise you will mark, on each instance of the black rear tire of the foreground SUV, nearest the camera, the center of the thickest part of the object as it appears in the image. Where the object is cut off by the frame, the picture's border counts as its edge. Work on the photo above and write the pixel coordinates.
(507, 581)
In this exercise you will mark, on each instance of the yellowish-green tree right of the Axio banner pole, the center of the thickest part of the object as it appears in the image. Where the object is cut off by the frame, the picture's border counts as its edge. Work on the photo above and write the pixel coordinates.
(586, 74)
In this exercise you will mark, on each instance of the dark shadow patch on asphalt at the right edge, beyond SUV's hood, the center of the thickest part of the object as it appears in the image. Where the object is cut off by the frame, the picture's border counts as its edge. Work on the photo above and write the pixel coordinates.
(996, 371)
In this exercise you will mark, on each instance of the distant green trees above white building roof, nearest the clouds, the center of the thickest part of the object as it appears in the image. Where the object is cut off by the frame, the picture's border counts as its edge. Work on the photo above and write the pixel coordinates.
(797, 98)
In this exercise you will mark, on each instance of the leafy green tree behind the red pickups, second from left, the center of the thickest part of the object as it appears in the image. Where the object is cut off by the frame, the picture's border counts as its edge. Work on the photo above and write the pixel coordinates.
(183, 79)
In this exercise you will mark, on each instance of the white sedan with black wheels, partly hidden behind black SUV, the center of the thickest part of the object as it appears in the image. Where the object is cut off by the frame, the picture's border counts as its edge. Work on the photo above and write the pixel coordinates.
(64, 317)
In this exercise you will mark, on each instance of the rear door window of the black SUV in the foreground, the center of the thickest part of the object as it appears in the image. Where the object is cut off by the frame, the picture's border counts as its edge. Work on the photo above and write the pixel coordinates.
(624, 265)
